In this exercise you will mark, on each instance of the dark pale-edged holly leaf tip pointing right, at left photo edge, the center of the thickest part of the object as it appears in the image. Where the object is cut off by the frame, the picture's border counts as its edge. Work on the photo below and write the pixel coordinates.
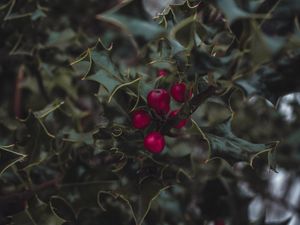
(8, 158)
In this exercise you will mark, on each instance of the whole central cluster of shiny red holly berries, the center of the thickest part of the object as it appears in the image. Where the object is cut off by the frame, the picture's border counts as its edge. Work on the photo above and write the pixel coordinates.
(158, 101)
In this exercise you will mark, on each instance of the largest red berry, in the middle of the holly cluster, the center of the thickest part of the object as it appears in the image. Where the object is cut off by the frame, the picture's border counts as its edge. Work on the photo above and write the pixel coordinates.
(159, 100)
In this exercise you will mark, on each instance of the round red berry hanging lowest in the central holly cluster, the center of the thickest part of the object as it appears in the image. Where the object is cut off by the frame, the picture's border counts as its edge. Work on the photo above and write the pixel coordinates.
(154, 142)
